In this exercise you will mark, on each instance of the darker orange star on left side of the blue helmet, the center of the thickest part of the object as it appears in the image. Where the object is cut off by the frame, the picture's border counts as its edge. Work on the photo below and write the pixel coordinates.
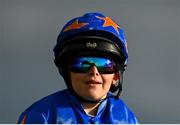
(75, 25)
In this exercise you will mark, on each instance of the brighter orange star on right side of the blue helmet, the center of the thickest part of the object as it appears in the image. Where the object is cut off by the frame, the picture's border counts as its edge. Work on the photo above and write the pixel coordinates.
(109, 22)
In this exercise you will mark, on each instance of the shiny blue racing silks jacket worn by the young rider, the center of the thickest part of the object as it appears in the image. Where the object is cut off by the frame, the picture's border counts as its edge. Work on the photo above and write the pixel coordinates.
(63, 108)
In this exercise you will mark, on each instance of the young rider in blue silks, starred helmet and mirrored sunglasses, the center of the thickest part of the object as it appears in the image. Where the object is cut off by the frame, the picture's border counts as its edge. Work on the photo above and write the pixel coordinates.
(91, 55)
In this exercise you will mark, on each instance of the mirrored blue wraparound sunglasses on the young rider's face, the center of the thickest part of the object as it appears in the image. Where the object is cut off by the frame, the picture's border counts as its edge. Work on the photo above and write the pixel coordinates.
(83, 64)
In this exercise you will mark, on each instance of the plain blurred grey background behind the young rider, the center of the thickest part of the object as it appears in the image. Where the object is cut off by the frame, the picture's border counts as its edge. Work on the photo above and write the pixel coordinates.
(28, 32)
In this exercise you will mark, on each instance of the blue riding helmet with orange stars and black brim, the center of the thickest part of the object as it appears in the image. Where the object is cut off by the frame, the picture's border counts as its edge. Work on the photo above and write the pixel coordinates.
(92, 34)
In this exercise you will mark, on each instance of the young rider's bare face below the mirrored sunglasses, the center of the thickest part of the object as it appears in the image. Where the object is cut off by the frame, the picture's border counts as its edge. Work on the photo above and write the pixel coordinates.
(92, 85)
